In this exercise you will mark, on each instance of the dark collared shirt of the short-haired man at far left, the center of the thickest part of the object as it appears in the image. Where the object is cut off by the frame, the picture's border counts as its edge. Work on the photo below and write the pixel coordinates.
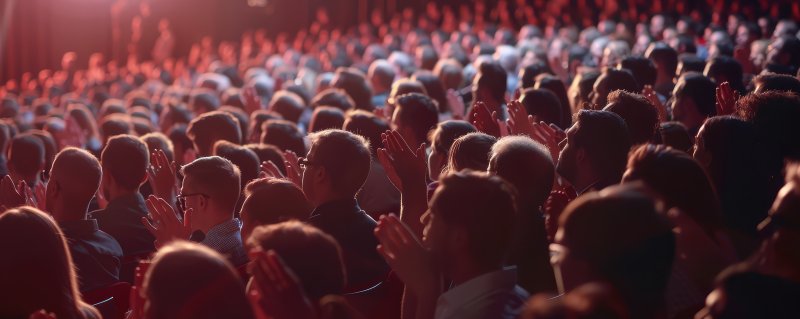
(96, 255)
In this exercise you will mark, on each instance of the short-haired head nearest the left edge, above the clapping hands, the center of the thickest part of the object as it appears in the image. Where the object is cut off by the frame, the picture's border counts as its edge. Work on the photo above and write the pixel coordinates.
(26, 155)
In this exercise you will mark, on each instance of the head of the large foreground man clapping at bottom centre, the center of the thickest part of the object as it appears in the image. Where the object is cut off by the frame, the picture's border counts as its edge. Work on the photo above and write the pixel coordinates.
(460, 232)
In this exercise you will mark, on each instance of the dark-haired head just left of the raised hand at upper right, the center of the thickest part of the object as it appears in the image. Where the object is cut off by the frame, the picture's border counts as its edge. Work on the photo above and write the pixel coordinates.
(694, 101)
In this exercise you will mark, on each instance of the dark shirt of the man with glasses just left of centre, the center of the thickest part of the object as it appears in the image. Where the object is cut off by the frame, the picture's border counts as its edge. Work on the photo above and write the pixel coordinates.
(345, 221)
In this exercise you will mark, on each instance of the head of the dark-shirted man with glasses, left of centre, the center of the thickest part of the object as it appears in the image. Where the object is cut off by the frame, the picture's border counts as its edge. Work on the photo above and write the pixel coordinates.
(337, 166)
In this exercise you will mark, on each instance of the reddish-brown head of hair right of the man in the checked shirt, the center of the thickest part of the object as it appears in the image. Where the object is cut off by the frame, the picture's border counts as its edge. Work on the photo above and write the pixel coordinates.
(271, 201)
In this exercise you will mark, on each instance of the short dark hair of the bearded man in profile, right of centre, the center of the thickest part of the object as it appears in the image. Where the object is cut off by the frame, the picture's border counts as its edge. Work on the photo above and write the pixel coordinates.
(606, 140)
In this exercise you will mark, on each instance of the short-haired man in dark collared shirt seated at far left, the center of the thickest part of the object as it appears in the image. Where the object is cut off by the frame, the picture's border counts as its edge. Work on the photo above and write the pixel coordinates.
(74, 179)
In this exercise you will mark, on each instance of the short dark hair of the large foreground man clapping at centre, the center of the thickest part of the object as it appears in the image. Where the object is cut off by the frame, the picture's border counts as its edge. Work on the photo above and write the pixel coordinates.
(485, 207)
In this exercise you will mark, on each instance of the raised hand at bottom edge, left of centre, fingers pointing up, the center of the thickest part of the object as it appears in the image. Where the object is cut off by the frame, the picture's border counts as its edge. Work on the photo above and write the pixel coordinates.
(275, 291)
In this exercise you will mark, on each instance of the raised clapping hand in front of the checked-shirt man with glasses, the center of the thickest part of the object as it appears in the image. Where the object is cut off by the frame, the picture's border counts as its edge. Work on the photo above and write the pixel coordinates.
(166, 226)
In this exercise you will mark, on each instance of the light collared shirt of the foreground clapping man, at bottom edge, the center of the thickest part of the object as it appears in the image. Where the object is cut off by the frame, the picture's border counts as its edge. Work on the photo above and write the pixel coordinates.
(491, 295)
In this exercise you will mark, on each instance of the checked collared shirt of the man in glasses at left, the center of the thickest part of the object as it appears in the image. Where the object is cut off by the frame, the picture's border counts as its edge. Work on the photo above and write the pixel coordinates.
(226, 239)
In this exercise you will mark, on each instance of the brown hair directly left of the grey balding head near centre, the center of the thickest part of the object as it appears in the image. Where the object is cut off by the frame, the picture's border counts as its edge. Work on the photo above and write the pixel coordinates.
(470, 151)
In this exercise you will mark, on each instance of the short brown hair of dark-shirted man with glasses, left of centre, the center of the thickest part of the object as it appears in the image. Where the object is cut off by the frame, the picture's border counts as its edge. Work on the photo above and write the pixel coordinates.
(345, 157)
